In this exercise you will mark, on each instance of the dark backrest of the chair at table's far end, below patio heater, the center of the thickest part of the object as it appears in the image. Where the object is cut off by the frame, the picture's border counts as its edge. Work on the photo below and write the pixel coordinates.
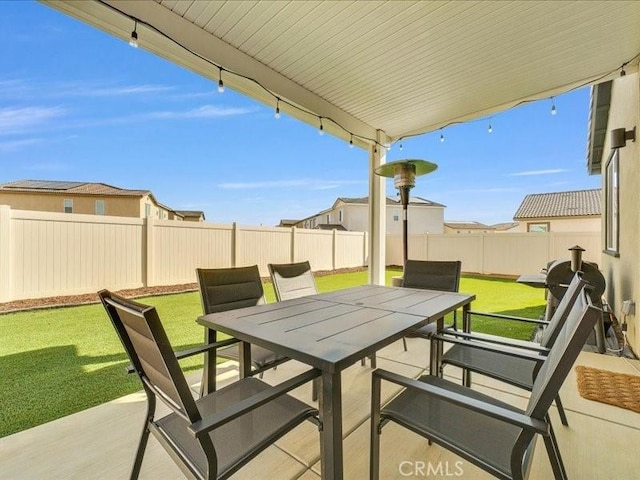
(432, 275)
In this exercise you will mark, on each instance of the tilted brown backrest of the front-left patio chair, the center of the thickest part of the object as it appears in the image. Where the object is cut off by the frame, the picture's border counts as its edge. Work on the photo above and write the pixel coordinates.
(150, 352)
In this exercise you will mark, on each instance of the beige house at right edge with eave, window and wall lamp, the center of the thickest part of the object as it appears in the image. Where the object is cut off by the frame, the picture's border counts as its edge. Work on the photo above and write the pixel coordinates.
(613, 151)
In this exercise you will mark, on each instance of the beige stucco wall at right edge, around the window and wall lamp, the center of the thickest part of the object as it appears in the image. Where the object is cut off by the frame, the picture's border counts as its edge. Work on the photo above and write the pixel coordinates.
(622, 272)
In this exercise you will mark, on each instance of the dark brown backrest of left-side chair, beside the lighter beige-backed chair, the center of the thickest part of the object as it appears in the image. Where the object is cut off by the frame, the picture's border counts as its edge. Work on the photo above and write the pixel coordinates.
(223, 289)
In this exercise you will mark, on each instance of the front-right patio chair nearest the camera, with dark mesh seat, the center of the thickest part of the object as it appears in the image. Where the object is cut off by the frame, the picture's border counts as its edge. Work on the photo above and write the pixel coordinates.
(491, 434)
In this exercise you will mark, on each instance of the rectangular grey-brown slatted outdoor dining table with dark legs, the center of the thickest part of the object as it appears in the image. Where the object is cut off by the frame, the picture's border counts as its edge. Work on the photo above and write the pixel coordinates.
(331, 331)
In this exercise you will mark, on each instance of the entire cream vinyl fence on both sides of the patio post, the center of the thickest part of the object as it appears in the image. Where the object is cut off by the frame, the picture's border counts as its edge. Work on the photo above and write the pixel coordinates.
(49, 254)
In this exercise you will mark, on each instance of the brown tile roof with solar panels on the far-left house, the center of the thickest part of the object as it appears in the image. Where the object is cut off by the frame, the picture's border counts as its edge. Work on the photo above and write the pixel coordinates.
(78, 188)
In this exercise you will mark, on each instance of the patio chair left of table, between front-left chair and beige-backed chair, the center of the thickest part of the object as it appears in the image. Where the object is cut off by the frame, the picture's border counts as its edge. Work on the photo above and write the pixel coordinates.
(223, 289)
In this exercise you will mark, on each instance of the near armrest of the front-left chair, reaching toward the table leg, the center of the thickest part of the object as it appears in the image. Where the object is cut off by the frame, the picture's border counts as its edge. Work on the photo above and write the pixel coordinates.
(218, 419)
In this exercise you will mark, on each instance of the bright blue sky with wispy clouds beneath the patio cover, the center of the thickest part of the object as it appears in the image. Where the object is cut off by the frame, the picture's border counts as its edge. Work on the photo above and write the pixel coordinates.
(77, 104)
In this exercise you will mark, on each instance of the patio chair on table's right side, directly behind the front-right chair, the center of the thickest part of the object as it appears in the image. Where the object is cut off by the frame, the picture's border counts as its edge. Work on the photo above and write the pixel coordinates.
(504, 359)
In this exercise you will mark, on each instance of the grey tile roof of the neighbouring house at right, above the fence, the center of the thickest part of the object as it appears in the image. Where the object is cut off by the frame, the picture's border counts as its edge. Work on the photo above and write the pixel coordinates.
(579, 203)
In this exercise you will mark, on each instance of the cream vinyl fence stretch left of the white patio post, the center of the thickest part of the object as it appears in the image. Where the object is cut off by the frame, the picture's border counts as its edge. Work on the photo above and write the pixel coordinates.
(46, 254)
